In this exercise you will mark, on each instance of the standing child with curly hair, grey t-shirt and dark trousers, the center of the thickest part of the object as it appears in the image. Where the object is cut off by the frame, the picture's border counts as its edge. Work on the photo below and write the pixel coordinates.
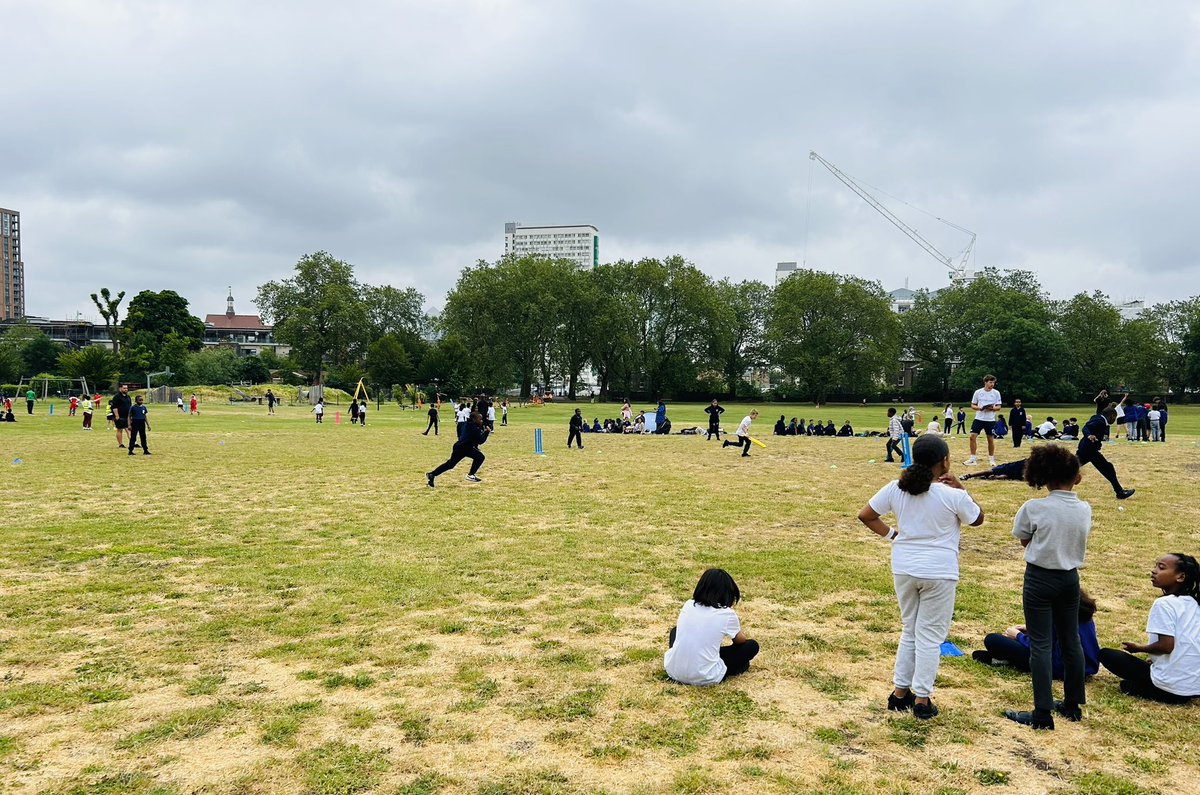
(1054, 533)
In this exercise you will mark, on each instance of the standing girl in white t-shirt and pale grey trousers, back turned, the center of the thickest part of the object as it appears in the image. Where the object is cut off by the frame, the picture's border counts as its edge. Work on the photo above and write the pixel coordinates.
(931, 507)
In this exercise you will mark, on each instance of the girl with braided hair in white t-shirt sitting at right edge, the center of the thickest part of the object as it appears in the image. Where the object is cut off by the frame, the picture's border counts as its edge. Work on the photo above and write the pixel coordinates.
(1173, 674)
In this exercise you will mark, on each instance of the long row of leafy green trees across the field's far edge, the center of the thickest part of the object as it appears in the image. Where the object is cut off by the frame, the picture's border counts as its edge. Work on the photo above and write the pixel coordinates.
(655, 328)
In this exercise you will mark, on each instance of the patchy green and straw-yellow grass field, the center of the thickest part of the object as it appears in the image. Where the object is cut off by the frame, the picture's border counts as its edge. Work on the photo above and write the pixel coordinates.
(269, 606)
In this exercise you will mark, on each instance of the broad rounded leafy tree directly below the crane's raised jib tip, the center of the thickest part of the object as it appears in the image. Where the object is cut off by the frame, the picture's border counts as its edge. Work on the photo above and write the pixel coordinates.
(833, 333)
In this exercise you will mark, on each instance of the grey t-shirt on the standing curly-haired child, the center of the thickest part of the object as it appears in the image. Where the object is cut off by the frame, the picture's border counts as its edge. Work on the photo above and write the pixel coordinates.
(1058, 527)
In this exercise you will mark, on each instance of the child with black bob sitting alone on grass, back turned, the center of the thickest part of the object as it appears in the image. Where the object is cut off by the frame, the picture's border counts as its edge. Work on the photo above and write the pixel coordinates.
(695, 655)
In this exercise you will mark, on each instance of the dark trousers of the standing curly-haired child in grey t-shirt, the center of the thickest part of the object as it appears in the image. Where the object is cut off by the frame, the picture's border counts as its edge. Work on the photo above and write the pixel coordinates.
(1051, 599)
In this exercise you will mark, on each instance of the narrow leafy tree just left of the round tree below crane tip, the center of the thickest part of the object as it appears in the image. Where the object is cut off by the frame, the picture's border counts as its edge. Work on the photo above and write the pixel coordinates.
(737, 332)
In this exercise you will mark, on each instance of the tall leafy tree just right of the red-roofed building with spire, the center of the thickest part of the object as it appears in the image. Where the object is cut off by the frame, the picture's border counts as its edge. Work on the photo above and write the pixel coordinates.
(319, 313)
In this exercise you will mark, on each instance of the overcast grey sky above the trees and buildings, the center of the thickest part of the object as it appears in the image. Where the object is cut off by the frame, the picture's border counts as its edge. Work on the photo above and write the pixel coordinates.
(195, 146)
